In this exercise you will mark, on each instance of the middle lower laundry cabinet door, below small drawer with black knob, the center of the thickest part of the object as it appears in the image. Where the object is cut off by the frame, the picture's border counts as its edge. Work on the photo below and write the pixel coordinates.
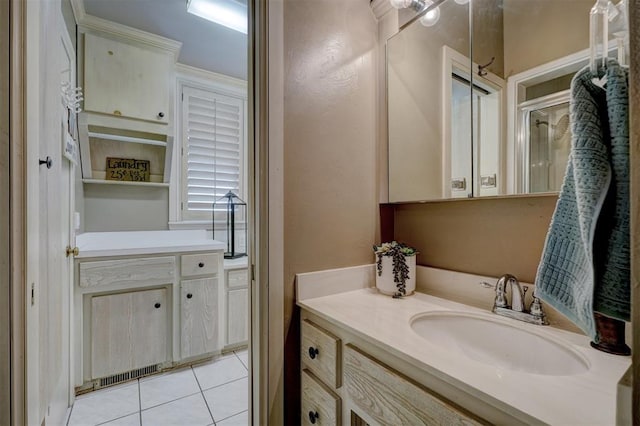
(199, 317)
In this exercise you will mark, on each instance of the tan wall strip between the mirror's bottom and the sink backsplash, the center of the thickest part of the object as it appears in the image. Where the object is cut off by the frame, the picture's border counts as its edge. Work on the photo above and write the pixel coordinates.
(488, 237)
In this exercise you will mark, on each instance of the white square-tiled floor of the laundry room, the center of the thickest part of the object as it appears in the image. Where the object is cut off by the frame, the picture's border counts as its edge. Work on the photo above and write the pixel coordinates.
(215, 393)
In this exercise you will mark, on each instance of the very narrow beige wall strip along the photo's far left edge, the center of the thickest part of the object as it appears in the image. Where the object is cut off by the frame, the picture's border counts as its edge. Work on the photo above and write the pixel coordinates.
(5, 388)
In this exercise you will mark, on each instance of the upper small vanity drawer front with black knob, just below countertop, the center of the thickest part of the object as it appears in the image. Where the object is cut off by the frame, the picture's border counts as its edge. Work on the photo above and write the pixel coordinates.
(320, 353)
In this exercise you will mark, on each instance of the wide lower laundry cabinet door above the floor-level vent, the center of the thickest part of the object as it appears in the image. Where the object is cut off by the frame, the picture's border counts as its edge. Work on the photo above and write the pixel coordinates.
(128, 331)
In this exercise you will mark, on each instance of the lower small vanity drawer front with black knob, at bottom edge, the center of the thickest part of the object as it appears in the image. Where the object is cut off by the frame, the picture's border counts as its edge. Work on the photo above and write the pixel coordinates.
(320, 406)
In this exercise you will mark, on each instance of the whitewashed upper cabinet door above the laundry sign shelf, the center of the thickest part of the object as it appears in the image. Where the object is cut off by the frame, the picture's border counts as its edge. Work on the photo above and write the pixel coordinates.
(127, 80)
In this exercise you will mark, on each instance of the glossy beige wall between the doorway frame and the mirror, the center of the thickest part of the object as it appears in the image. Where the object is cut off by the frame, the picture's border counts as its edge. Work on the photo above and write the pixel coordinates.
(330, 148)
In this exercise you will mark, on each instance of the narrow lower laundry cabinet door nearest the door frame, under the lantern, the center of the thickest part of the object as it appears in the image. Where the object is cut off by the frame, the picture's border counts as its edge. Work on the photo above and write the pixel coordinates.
(237, 307)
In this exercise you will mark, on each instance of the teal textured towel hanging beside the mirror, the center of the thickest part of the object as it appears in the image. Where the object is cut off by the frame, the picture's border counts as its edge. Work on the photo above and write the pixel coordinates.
(585, 263)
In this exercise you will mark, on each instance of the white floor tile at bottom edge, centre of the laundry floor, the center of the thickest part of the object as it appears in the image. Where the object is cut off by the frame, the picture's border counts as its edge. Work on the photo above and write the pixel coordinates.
(189, 411)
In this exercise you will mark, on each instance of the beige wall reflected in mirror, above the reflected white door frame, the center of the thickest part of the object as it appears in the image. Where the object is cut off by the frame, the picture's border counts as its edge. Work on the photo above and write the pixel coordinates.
(536, 32)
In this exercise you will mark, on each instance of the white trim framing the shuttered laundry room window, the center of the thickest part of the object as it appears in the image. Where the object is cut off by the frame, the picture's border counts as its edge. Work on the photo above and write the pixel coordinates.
(187, 76)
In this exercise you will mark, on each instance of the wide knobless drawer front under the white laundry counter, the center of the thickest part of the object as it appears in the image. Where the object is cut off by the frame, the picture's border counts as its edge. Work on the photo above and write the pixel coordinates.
(149, 270)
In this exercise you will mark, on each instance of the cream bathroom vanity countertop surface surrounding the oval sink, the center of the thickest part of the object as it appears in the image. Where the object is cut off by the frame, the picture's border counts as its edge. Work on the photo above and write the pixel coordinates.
(583, 399)
